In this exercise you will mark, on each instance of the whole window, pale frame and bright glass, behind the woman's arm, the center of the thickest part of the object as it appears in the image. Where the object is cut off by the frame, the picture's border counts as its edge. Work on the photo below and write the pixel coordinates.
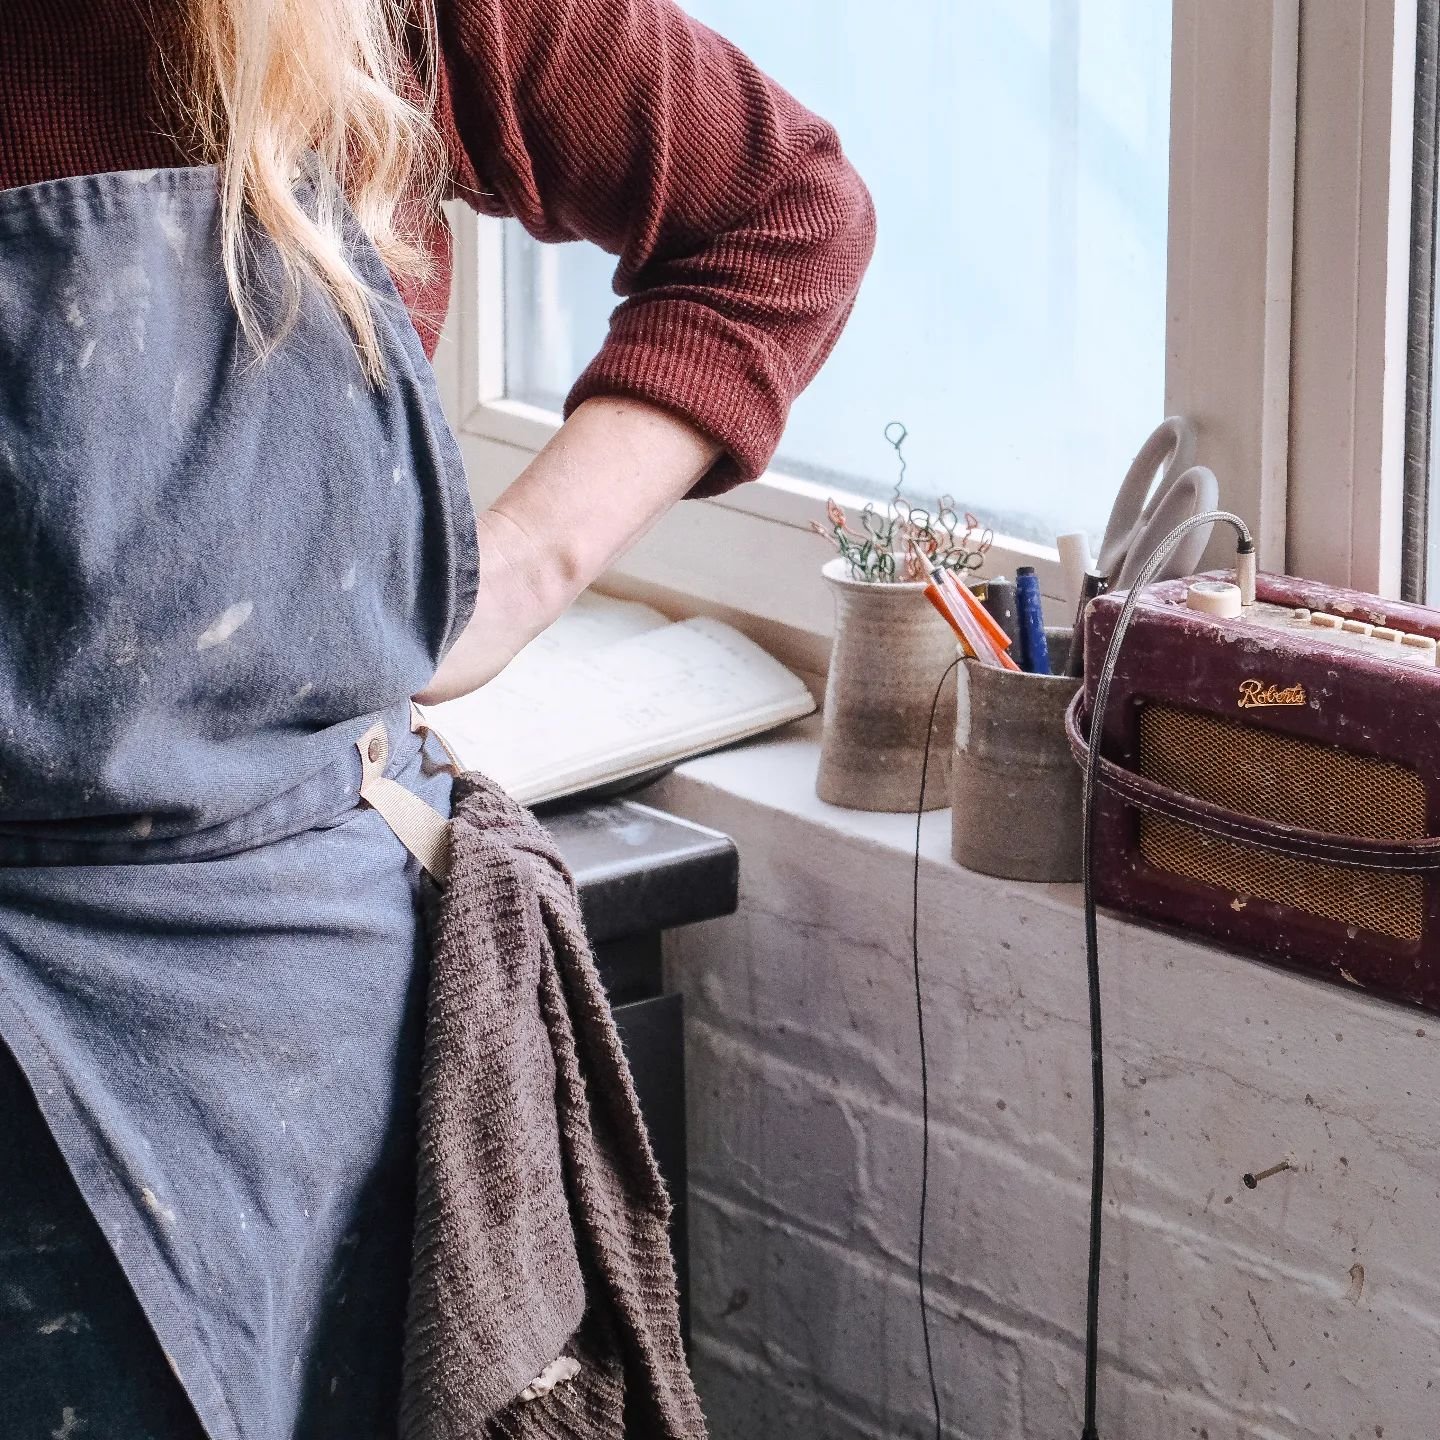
(1094, 212)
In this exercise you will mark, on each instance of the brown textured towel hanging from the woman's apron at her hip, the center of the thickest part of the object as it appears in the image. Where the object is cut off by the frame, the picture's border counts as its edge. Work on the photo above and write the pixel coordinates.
(542, 1222)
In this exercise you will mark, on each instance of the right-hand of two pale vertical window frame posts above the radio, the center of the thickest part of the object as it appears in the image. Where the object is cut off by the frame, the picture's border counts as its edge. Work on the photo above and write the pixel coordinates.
(1351, 312)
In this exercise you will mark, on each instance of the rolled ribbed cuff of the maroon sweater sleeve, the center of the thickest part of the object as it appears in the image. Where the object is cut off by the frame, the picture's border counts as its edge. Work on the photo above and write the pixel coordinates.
(708, 369)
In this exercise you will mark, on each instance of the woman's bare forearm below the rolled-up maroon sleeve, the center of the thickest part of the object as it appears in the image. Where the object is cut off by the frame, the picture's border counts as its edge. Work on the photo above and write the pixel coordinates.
(610, 473)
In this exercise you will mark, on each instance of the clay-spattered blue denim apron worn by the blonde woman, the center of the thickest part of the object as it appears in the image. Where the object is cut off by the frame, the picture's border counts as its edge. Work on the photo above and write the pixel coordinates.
(215, 575)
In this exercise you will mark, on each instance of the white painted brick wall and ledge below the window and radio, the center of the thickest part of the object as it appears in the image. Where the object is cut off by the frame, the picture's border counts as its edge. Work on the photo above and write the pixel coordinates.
(1308, 1310)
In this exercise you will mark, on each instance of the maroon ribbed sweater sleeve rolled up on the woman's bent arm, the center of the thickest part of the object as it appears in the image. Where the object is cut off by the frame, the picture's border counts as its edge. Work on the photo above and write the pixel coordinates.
(741, 230)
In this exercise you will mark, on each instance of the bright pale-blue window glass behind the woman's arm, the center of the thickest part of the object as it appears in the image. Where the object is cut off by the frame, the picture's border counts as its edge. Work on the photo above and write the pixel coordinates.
(1014, 318)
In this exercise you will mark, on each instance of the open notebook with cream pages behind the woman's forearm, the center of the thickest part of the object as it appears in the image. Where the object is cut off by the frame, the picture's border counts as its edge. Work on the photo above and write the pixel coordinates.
(614, 690)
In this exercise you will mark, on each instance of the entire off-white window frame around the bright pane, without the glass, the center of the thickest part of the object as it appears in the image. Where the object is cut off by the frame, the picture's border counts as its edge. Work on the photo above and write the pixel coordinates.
(1268, 225)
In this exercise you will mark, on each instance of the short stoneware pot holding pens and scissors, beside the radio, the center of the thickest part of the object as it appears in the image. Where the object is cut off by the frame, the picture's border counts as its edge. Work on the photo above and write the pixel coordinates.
(1016, 788)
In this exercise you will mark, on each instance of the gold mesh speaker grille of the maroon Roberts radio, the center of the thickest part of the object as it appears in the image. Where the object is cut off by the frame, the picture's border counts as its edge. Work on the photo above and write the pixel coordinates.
(1294, 781)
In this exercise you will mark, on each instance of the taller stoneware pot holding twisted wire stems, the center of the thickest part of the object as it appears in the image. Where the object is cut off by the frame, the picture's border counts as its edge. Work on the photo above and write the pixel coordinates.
(889, 654)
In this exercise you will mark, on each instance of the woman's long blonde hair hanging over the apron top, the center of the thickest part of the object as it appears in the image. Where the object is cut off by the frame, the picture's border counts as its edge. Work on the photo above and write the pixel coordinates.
(345, 91)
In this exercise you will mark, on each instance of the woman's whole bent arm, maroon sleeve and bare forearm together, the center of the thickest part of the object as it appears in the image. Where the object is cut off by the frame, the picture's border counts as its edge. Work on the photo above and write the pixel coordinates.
(741, 234)
